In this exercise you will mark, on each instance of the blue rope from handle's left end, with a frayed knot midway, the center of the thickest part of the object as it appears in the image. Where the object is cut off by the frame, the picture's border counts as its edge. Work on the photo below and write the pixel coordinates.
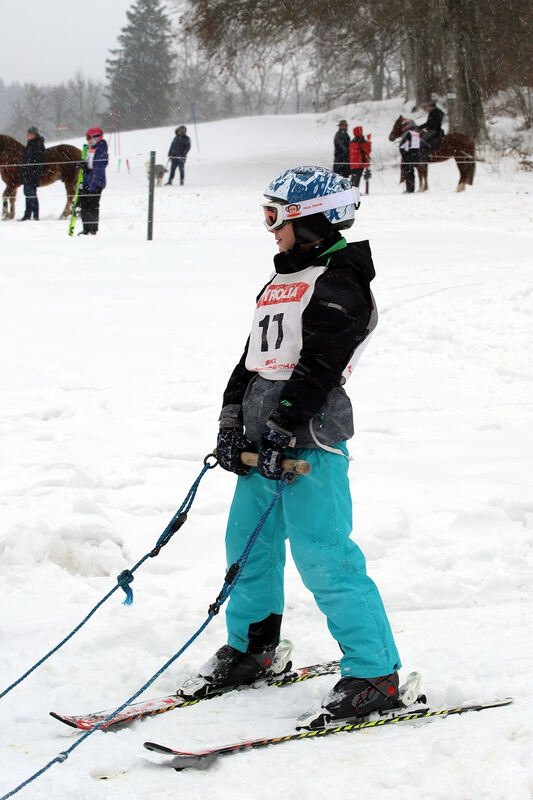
(126, 577)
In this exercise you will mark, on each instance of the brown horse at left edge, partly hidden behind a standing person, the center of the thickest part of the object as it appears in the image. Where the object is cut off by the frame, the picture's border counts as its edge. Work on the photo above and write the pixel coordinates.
(60, 164)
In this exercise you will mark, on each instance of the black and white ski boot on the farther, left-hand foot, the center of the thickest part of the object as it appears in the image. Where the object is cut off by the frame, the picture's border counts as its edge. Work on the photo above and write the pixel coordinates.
(229, 668)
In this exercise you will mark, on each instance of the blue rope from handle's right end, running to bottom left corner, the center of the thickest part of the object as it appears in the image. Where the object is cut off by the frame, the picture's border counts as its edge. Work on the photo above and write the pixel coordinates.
(227, 588)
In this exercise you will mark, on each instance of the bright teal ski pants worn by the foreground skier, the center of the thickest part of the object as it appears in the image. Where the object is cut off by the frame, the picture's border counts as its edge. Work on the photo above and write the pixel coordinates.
(315, 514)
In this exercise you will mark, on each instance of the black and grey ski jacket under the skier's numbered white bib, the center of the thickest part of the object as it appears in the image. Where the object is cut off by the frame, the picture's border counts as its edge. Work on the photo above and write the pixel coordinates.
(334, 324)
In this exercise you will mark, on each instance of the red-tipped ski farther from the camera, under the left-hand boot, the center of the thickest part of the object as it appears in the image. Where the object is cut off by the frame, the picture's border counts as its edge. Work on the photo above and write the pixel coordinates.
(150, 708)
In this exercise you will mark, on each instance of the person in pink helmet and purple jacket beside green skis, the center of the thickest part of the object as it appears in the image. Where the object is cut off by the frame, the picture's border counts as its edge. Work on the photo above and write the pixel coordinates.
(93, 181)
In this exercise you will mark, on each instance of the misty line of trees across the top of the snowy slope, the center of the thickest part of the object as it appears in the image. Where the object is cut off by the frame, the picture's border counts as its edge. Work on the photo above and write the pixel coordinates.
(222, 58)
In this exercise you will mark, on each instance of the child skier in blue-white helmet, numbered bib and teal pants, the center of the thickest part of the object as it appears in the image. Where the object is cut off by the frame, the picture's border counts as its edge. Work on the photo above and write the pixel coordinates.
(286, 397)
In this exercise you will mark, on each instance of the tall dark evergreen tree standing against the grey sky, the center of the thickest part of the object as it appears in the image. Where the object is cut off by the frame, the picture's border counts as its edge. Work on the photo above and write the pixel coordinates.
(140, 76)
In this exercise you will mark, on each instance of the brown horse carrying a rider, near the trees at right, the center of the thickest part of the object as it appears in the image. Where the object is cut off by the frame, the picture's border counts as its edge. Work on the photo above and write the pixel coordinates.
(453, 145)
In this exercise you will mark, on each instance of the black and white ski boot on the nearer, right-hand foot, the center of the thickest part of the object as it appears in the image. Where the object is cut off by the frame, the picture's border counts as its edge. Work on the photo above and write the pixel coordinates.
(356, 698)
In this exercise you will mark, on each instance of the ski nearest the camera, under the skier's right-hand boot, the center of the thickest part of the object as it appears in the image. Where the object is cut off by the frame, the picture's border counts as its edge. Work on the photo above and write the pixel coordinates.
(203, 759)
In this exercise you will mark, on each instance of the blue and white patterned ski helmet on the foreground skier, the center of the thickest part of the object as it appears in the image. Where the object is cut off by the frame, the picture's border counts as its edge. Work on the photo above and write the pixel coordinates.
(334, 206)
